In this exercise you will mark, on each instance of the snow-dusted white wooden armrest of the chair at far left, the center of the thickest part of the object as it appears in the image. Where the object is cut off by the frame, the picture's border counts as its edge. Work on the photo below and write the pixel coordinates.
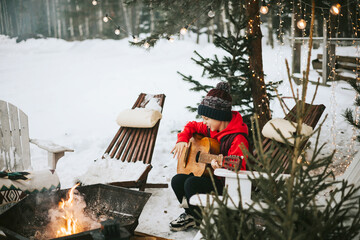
(55, 152)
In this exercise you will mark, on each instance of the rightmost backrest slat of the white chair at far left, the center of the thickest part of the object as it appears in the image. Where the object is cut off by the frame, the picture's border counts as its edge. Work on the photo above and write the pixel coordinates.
(24, 135)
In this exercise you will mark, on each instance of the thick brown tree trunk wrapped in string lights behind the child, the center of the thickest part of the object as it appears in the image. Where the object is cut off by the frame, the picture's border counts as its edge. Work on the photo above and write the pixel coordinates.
(258, 88)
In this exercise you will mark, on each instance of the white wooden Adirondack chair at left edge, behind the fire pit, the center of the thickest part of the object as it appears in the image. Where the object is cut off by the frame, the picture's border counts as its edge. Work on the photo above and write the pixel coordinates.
(15, 157)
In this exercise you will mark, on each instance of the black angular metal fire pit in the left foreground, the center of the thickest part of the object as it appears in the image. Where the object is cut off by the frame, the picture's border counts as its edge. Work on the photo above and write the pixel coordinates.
(114, 204)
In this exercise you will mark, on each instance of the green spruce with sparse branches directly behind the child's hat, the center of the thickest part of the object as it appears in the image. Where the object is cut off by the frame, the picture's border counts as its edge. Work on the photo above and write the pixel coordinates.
(233, 67)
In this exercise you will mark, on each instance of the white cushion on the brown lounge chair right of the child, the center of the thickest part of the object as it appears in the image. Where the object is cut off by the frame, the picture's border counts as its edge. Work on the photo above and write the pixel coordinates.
(287, 129)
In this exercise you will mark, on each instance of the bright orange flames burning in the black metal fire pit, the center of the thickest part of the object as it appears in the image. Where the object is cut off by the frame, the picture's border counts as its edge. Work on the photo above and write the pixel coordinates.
(70, 222)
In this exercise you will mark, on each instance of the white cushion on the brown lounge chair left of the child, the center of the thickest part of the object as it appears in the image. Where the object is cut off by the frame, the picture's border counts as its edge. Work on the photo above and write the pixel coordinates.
(138, 118)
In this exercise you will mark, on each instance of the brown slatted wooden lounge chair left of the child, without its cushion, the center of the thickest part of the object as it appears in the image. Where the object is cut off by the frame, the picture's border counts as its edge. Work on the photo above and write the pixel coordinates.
(136, 144)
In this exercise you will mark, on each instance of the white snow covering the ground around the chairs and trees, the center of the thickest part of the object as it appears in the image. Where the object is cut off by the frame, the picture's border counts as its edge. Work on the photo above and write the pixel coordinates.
(73, 91)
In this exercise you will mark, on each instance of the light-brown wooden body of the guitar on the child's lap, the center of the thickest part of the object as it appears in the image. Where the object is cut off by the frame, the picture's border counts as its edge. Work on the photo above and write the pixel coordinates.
(188, 163)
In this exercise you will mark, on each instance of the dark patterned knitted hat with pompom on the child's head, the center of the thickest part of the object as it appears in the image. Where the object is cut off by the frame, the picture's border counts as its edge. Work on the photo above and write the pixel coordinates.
(217, 103)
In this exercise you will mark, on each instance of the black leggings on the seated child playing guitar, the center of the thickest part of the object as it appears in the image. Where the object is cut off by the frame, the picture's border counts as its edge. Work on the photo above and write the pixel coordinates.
(189, 185)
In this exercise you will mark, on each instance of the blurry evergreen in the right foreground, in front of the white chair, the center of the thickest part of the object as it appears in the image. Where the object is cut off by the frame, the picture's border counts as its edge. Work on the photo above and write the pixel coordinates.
(293, 206)
